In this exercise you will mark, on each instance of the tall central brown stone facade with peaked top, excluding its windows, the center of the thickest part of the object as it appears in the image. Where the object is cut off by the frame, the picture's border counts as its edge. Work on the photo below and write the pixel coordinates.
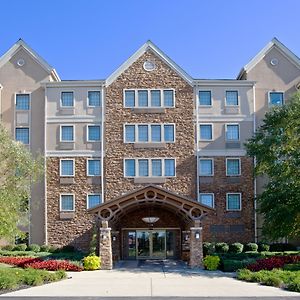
(163, 77)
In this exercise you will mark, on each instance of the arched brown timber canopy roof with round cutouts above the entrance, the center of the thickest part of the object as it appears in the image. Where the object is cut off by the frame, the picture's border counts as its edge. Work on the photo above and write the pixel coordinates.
(151, 196)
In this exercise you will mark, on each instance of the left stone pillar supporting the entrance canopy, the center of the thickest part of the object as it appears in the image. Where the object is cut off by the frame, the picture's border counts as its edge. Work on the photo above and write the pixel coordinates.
(105, 246)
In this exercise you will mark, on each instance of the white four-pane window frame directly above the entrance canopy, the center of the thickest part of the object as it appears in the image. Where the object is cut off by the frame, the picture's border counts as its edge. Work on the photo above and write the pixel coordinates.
(136, 159)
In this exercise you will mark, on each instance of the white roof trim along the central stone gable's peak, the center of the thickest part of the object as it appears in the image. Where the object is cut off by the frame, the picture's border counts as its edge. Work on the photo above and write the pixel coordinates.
(149, 46)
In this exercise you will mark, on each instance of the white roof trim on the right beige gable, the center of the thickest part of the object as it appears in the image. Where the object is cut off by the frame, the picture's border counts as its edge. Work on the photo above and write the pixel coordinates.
(261, 54)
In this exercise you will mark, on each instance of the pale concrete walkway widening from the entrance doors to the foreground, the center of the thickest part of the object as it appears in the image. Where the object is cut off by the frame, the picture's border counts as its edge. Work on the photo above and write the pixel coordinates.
(150, 279)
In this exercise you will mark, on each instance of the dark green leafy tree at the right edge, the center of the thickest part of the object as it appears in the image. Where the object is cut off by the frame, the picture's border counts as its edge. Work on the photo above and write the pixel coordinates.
(276, 148)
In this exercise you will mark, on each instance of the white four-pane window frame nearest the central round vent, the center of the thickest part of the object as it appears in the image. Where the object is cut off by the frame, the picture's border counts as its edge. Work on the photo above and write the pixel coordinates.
(149, 98)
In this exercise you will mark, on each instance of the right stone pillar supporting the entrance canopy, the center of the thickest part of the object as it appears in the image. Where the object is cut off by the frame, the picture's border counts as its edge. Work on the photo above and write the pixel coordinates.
(196, 251)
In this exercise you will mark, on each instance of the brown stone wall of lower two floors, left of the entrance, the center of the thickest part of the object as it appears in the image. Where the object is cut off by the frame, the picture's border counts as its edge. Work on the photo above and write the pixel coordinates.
(77, 230)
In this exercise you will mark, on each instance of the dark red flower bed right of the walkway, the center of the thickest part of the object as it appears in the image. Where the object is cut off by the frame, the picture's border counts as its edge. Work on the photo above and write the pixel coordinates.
(273, 262)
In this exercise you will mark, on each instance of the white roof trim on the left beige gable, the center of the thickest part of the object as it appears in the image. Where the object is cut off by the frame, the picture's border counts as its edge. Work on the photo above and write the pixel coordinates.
(20, 44)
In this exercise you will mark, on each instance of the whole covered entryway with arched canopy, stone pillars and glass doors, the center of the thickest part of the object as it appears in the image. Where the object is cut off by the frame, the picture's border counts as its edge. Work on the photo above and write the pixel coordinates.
(151, 223)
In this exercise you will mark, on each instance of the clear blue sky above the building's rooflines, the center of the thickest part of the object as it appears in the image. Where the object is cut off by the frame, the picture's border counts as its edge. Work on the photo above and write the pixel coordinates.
(90, 39)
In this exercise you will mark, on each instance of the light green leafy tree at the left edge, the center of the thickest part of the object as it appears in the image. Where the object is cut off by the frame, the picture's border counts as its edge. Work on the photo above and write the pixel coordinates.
(18, 170)
